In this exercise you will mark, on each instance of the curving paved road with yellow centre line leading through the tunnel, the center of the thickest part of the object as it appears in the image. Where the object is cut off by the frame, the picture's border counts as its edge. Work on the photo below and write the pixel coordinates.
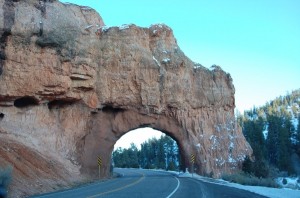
(137, 183)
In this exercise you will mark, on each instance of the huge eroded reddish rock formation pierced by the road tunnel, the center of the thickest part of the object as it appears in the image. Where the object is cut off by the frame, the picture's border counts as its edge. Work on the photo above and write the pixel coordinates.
(70, 87)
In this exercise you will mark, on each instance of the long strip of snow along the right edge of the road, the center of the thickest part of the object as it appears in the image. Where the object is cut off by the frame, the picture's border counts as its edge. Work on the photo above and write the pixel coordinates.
(265, 191)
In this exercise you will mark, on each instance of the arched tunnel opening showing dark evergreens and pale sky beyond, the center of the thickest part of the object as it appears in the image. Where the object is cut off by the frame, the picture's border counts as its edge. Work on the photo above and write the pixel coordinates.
(147, 148)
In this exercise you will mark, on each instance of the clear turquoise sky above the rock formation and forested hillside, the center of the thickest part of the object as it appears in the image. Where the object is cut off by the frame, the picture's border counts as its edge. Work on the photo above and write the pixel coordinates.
(256, 41)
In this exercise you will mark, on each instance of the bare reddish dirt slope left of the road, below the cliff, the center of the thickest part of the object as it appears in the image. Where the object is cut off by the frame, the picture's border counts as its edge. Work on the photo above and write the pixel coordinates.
(32, 172)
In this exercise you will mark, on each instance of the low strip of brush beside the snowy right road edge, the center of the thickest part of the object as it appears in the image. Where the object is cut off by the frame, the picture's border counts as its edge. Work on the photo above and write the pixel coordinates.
(246, 179)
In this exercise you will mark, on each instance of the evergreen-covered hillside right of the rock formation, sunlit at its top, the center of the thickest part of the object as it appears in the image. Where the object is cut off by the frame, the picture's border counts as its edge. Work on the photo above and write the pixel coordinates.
(273, 132)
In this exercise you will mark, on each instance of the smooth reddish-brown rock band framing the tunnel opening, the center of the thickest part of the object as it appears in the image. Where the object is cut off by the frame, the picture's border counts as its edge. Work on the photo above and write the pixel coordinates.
(106, 128)
